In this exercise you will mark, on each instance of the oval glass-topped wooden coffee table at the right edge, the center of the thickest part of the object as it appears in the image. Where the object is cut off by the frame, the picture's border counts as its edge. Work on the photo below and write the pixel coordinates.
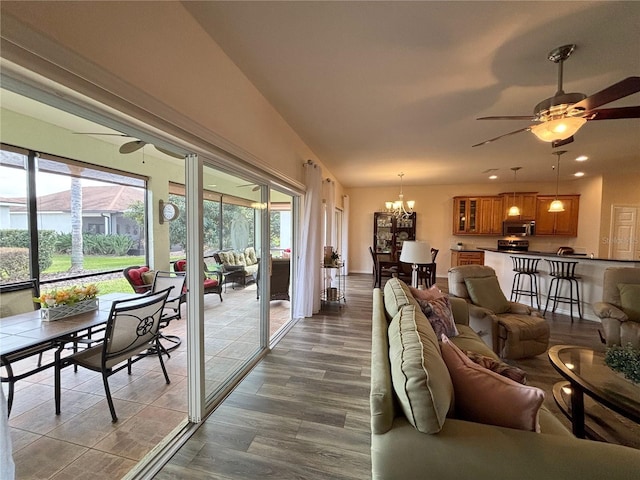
(587, 374)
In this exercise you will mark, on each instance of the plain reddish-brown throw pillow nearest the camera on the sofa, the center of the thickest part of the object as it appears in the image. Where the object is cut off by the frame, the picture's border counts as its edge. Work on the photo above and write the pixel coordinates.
(485, 397)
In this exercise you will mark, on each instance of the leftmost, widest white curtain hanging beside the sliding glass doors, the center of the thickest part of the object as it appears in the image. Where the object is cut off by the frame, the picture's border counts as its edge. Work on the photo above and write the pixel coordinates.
(308, 279)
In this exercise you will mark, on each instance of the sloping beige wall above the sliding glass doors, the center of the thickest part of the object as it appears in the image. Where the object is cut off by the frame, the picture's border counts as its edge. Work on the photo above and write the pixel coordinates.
(169, 67)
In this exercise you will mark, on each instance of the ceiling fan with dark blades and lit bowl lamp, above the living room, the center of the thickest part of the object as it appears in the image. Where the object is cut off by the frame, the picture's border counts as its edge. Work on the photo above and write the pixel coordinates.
(559, 117)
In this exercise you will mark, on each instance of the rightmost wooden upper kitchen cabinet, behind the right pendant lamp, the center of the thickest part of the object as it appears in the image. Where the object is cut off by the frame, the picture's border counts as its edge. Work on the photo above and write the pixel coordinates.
(562, 224)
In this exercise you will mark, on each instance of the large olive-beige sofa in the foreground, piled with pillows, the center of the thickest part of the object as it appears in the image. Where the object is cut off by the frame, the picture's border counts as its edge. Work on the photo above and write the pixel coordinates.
(464, 449)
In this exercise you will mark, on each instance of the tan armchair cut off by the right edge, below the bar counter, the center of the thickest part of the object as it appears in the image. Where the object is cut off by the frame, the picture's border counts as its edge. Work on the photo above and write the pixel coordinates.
(619, 310)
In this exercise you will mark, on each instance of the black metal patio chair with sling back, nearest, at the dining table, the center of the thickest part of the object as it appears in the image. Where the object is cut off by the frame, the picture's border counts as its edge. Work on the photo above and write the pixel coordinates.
(133, 327)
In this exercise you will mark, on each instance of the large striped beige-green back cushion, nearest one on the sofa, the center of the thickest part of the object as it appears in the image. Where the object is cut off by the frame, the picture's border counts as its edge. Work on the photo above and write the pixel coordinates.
(419, 375)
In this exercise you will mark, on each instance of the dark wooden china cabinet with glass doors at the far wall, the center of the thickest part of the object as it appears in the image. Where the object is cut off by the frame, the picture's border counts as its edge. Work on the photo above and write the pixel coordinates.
(389, 233)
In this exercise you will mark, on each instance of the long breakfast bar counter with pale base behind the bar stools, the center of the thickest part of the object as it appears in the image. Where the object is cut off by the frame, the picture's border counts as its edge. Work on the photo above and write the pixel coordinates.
(590, 271)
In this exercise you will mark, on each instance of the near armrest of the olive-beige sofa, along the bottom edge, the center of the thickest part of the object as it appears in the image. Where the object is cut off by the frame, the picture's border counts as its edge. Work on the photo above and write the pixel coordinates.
(467, 450)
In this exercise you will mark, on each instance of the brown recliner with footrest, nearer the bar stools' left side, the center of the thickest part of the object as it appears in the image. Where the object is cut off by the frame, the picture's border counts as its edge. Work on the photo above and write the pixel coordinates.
(513, 330)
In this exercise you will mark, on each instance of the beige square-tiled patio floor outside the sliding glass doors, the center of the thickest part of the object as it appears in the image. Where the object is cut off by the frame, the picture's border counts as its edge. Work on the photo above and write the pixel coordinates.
(83, 439)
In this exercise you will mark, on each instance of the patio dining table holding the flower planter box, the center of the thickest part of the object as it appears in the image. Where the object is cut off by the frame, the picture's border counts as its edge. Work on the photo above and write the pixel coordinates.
(27, 334)
